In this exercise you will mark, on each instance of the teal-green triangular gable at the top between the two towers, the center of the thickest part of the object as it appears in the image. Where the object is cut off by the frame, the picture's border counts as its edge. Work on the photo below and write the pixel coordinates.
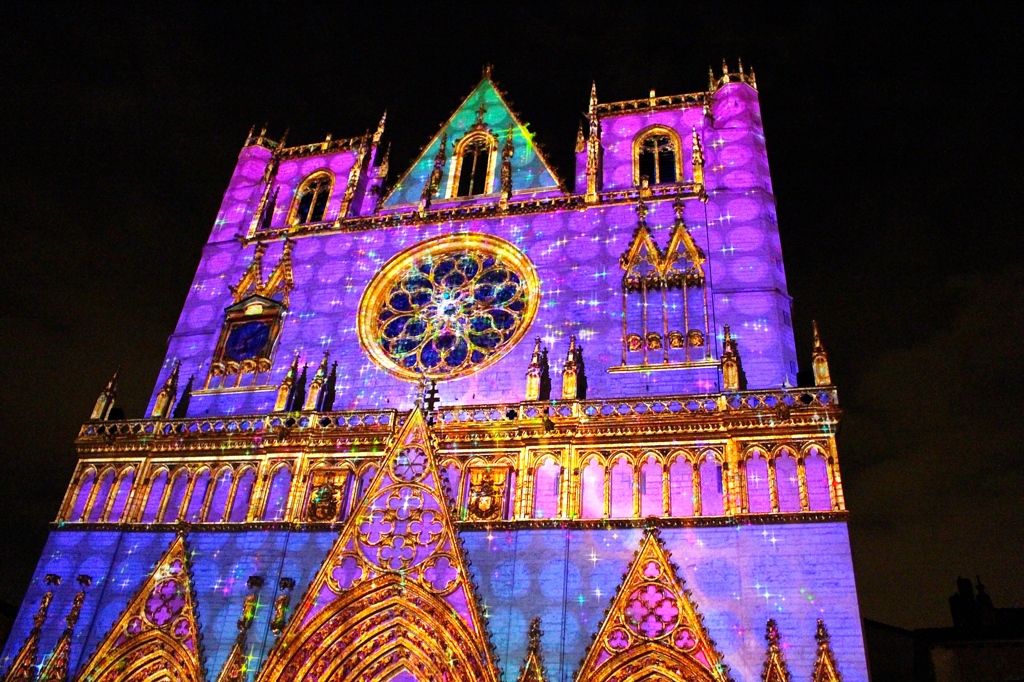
(531, 172)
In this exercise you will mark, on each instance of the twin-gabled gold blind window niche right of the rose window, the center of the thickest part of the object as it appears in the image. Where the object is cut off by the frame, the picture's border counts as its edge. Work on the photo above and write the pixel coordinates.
(665, 302)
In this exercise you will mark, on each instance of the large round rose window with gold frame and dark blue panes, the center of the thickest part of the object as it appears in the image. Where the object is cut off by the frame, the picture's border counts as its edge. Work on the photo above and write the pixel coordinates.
(449, 308)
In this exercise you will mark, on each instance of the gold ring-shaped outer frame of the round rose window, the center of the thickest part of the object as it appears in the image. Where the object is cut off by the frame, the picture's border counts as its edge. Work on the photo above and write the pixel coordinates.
(380, 286)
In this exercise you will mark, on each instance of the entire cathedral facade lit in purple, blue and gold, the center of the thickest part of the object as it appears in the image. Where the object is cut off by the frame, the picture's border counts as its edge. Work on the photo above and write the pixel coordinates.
(472, 424)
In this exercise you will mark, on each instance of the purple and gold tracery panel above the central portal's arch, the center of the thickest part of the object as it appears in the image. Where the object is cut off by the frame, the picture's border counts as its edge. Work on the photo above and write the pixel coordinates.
(402, 532)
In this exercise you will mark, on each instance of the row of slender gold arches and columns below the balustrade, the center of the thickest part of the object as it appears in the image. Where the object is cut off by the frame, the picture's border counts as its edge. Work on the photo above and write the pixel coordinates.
(559, 484)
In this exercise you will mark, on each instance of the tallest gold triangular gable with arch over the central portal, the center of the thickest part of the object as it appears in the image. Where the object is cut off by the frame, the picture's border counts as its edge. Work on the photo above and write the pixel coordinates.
(394, 593)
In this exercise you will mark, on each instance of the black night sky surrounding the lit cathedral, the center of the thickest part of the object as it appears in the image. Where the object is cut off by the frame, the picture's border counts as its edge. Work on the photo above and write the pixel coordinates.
(895, 142)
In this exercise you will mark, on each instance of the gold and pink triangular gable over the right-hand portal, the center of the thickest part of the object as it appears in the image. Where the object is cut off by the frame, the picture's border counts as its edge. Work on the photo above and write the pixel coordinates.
(652, 625)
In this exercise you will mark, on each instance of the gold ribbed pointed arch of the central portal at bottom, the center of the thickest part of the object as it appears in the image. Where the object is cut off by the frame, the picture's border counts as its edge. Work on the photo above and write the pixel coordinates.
(377, 630)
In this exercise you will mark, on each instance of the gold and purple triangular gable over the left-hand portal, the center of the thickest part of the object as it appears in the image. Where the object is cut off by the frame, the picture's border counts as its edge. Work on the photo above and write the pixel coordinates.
(158, 632)
